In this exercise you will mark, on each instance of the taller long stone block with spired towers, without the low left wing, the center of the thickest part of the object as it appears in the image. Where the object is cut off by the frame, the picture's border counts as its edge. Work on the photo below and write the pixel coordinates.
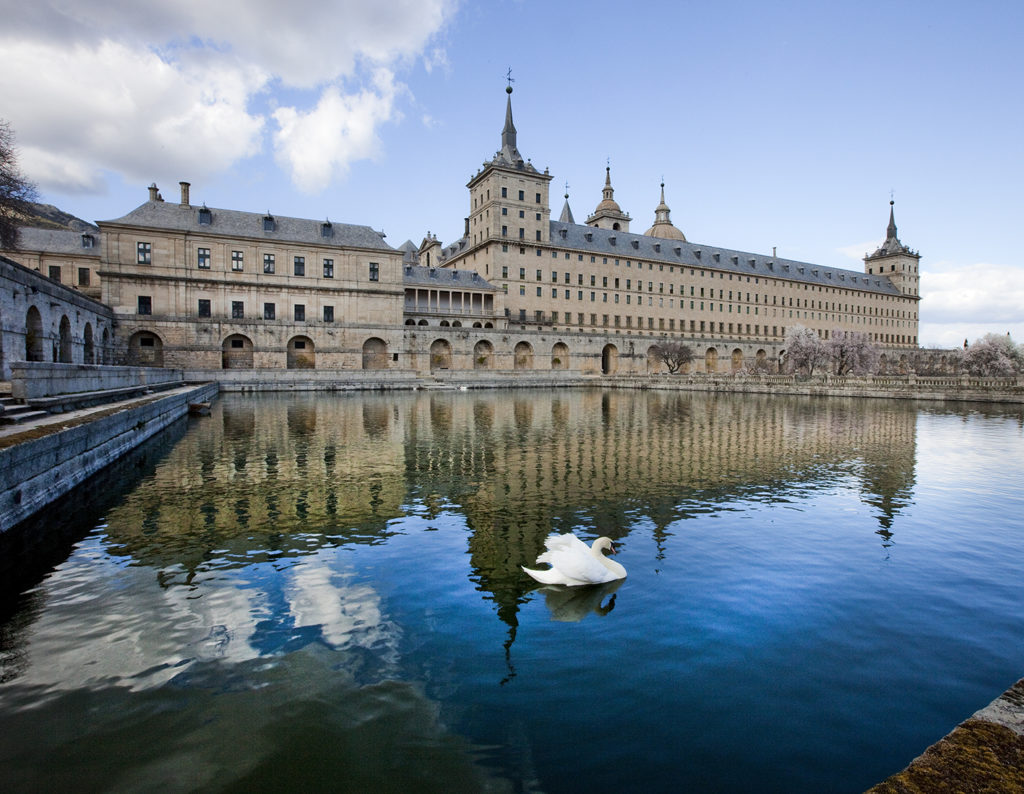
(601, 278)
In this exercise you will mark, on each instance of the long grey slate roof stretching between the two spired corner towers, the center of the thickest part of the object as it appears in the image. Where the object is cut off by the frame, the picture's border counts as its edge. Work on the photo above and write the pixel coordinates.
(624, 245)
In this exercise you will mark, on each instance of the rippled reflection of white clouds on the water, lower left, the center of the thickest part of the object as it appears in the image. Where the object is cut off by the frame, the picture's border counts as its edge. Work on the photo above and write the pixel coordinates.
(141, 635)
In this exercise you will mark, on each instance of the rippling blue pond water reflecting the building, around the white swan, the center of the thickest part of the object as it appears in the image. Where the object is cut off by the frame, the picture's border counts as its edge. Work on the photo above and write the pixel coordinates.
(324, 594)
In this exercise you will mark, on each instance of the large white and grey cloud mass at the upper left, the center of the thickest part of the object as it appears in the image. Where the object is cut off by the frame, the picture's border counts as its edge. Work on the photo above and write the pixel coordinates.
(161, 91)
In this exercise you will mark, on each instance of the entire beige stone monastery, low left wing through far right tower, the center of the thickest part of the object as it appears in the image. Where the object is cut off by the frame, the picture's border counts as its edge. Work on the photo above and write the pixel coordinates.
(203, 288)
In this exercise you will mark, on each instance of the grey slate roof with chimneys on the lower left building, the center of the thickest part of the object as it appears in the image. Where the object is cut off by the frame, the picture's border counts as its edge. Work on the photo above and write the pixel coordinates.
(174, 217)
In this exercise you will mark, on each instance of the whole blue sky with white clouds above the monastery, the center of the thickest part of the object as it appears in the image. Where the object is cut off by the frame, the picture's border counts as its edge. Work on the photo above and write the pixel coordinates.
(787, 126)
